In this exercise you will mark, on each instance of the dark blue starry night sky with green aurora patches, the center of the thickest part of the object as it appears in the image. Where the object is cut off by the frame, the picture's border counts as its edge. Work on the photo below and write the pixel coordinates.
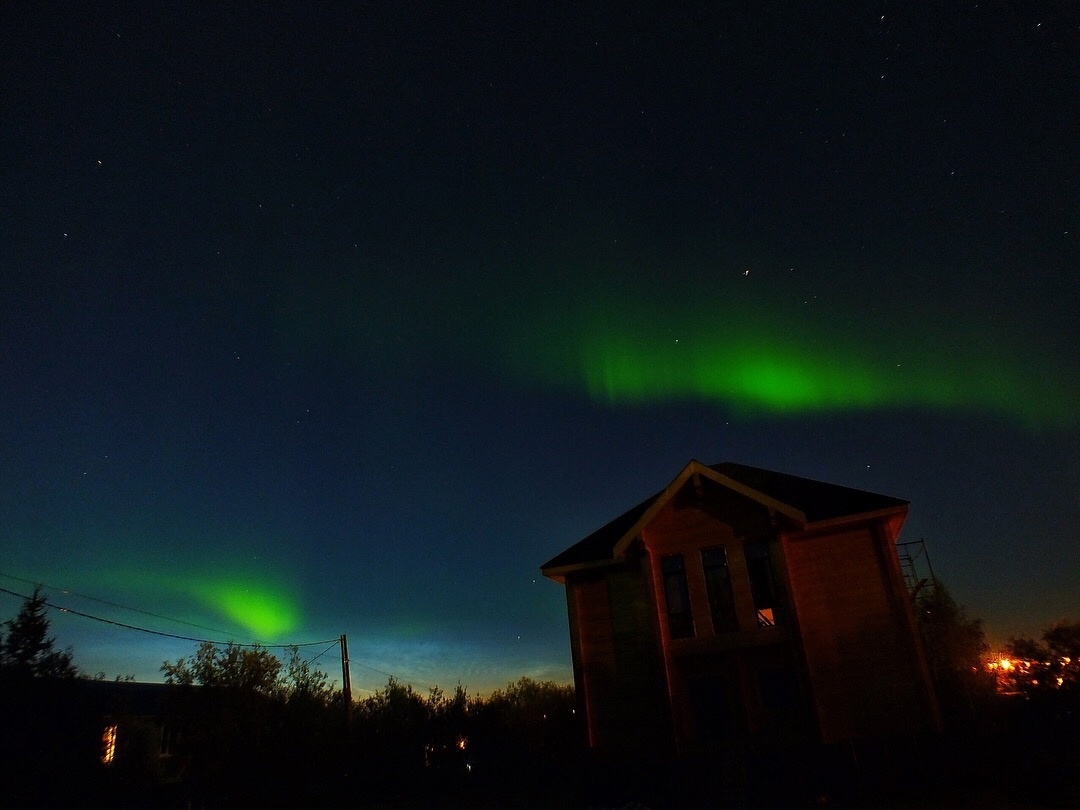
(345, 320)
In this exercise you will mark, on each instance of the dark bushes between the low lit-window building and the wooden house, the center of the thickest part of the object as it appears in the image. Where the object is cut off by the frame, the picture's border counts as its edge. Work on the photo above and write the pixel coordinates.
(252, 717)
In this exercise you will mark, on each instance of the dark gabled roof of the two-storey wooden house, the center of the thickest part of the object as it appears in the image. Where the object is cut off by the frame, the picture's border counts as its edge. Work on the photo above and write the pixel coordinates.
(803, 501)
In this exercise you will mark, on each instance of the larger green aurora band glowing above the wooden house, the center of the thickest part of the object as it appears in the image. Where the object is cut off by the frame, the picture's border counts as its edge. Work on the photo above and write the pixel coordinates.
(762, 361)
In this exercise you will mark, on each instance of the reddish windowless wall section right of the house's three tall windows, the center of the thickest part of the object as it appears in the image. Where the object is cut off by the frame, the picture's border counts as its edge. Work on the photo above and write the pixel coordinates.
(860, 651)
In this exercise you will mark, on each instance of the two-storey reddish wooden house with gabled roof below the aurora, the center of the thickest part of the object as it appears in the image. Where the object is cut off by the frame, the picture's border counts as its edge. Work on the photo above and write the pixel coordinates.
(740, 603)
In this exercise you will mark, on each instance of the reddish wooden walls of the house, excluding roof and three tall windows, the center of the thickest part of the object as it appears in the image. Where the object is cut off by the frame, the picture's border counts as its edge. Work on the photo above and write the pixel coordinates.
(843, 661)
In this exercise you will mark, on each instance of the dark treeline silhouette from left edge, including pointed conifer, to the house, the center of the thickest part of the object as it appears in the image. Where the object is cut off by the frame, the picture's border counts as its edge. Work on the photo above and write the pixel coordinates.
(237, 726)
